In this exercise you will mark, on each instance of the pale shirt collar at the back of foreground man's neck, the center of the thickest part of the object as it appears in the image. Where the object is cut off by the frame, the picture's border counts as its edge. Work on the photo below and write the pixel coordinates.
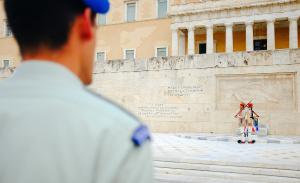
(47, 73)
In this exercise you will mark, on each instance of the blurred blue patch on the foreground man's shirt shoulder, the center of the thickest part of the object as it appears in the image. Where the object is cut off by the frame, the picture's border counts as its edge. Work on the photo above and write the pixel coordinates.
(140, 135)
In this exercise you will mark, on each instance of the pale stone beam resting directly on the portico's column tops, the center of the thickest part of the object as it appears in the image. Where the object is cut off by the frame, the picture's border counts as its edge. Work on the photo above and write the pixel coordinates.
(258, 14)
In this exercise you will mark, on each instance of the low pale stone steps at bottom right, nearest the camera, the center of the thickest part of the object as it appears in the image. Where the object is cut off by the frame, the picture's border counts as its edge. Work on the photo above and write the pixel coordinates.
(174, 172)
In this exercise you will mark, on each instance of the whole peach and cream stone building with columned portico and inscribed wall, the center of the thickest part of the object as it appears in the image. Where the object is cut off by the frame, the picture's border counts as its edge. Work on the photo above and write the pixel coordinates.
(185, 65)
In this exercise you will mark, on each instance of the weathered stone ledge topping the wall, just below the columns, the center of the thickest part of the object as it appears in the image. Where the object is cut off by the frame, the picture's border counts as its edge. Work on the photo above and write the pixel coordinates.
(217, 60)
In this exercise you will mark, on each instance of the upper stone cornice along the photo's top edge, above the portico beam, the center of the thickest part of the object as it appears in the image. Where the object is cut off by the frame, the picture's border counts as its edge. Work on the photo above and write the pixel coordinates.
(218, 5)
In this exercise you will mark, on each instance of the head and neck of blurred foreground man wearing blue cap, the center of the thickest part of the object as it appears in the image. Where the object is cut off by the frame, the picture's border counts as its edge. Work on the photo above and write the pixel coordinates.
(63, 31)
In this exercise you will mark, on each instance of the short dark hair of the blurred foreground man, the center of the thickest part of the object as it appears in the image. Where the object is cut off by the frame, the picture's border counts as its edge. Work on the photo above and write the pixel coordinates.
(36, 23)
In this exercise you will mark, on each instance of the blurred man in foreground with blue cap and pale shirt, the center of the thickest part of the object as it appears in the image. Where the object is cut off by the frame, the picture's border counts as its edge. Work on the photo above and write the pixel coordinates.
(52, 129)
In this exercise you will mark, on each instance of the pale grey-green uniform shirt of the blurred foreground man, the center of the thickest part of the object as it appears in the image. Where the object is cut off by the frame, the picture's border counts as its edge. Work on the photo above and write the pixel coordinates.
(52, 130)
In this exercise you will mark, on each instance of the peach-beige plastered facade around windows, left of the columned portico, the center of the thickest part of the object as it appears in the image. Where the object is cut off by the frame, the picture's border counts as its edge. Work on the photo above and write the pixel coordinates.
(144, 35)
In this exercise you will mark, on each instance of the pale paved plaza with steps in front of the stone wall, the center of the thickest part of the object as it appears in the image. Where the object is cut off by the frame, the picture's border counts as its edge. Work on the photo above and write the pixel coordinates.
(179, 159)
